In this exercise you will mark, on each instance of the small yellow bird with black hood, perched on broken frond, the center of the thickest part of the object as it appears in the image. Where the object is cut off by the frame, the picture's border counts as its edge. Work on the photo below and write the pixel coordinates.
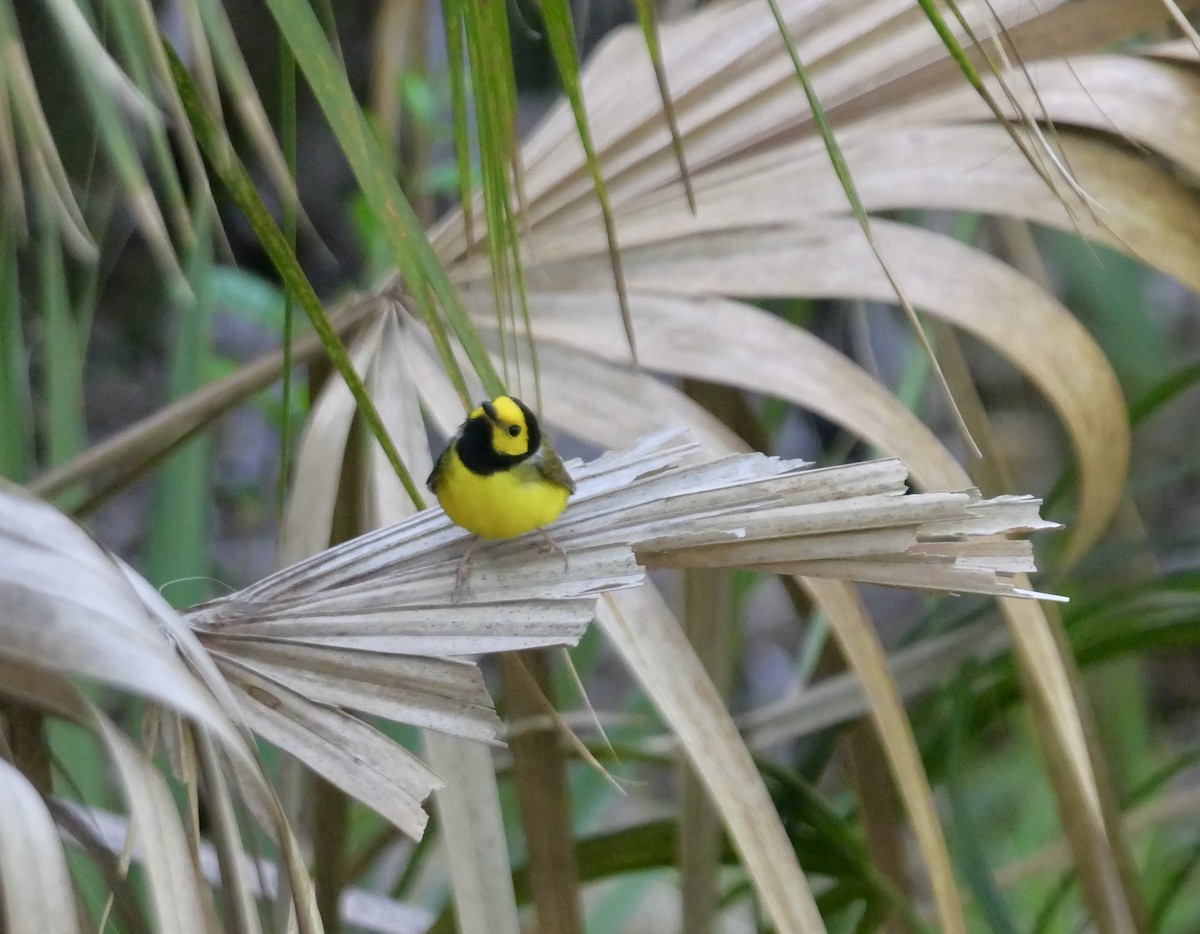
(500, 478)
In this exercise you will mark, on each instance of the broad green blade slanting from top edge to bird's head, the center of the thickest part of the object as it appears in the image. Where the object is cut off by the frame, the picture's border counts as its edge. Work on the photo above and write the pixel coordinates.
(424, 277)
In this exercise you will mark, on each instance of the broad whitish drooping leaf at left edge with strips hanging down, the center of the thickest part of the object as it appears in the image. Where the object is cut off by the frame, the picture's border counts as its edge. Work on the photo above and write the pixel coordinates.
(75, 609)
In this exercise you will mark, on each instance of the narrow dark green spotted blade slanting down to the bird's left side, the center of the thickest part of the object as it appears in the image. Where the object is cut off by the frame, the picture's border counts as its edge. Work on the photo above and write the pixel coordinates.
(235, 177)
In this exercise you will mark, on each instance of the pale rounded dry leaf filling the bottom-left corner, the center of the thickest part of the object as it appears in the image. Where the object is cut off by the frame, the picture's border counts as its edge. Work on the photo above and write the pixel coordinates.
(38, 896)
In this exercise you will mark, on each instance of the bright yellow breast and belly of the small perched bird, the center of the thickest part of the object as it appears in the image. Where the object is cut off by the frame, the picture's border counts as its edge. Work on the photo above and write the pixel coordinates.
(500, 505)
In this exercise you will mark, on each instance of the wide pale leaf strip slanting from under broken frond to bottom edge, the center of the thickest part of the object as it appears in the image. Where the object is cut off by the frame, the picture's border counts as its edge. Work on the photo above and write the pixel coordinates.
(646, 634)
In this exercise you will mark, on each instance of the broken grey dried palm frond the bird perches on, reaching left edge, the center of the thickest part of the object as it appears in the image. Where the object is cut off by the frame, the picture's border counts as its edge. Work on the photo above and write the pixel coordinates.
(375, 627)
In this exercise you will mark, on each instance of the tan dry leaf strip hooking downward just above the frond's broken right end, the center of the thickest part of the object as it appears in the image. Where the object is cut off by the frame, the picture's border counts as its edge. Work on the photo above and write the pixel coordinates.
(945, 278)
